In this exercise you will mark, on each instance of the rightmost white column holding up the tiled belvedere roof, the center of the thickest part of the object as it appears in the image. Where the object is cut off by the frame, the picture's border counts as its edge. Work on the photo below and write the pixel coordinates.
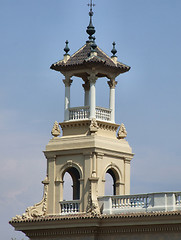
(112, 84)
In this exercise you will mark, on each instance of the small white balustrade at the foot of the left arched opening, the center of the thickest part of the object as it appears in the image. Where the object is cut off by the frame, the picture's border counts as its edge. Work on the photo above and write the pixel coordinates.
(69, 207)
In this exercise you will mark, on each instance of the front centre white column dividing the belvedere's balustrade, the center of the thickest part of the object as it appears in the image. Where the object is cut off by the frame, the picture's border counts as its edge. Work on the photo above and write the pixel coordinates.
(92, 95)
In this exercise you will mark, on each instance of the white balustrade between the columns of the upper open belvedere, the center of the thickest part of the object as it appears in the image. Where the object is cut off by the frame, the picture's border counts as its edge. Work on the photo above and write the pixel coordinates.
(80, 113)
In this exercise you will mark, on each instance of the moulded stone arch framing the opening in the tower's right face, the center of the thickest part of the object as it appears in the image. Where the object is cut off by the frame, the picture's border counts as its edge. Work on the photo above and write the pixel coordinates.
(116, 175)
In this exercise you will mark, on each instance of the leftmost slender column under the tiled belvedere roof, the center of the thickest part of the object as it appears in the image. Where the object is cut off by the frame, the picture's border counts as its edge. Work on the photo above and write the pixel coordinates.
(67, 83)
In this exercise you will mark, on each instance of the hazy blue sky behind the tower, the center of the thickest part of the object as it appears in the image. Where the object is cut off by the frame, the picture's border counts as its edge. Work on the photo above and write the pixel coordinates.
(33, 34)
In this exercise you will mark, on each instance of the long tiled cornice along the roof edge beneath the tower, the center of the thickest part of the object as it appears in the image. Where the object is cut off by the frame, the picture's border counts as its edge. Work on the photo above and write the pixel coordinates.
(103, 224)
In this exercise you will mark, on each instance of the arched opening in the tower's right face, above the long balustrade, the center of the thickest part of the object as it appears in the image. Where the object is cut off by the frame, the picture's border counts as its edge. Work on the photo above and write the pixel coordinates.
(111, 178)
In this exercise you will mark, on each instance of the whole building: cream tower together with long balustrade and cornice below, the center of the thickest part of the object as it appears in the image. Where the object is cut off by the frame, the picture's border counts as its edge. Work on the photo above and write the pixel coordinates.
(89, 145)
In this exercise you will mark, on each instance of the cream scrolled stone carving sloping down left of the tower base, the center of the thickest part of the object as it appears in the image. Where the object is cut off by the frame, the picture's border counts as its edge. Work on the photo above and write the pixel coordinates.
(35, 211)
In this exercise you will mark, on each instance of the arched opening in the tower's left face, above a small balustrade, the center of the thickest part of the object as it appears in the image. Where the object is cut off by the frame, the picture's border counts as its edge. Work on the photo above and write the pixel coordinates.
(71, 178)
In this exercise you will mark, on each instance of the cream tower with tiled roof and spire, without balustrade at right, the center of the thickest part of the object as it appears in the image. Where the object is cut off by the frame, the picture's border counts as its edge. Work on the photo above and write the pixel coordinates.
(89, 143)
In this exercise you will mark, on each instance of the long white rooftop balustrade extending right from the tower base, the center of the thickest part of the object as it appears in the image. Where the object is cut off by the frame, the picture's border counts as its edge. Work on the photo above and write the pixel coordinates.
(170, 201)
